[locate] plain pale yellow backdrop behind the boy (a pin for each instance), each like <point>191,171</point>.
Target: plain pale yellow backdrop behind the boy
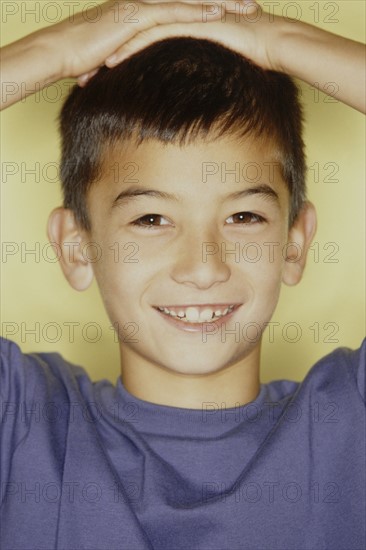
<point>331,295</point>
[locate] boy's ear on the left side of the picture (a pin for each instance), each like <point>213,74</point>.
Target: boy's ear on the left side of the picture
<point>66,237</point>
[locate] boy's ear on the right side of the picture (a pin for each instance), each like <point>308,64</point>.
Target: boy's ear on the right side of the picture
<point>299,240</point>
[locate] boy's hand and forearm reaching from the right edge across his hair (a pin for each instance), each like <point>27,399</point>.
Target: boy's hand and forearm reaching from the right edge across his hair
<point>274,43</point>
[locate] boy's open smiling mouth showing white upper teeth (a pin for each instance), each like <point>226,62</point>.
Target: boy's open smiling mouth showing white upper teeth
<point>198,314</point>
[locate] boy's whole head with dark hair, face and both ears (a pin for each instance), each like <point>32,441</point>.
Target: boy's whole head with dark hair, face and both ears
<point>183,178</point>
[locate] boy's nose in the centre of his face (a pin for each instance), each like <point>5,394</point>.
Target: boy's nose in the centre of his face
<point>198,262</point>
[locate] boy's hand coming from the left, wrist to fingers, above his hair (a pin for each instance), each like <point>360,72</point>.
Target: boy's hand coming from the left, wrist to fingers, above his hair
<point>85,45</point>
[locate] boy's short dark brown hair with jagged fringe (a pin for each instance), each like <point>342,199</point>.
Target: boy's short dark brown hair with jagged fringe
<point>177,90</point>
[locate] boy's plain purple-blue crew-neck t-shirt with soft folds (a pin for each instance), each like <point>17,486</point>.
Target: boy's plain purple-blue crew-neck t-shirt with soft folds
<point>86,465</point>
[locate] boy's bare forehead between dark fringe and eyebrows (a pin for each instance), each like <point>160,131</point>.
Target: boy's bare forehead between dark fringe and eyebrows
<point>220,166</point>
